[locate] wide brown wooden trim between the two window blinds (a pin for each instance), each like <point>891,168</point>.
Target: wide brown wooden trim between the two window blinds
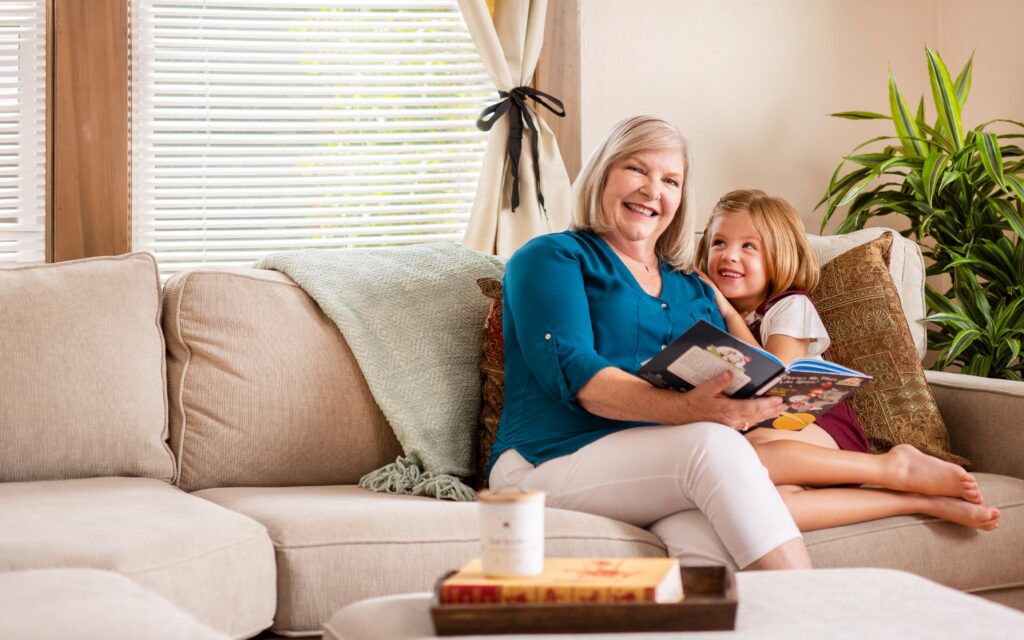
<point>91,130</point>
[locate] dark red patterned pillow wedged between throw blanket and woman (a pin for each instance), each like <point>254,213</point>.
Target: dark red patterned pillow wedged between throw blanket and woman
<point>493,368</point>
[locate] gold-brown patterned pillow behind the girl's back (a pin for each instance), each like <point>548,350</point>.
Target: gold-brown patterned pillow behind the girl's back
<point>861,309</point>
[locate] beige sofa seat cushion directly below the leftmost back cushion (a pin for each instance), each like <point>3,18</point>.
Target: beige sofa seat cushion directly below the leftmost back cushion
<point>214,564</point>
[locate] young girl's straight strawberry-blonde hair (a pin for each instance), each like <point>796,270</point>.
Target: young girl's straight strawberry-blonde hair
<point>790,264</point>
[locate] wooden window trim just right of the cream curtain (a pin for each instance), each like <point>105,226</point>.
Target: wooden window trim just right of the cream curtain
<point>559,74</point>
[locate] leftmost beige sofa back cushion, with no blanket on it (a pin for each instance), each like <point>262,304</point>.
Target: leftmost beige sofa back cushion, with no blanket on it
<point>82,390</point>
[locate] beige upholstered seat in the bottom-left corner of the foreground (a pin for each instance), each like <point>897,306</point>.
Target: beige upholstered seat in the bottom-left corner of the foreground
<point>58,605</point>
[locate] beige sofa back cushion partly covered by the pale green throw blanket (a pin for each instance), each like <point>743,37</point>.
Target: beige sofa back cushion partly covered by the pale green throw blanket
<point>264,390</point>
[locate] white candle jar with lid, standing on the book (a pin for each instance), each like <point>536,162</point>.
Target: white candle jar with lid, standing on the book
<point>511,533</point>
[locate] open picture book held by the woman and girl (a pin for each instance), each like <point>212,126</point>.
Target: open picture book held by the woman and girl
<point>808,387</point>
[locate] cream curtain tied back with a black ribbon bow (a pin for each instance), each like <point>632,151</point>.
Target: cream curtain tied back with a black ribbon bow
<point>510,47</point>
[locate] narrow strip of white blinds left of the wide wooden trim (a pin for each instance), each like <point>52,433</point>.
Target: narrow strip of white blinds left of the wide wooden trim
<point>23,132</point>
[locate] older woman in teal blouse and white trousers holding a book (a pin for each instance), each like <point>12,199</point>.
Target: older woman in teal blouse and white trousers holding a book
<point>583,311</point>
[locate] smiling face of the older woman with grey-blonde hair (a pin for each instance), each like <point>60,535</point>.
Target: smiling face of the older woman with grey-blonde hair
<point>642,196</point>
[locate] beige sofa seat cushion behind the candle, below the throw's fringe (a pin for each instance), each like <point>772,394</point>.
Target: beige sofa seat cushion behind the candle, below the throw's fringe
<point>340,544</point>
